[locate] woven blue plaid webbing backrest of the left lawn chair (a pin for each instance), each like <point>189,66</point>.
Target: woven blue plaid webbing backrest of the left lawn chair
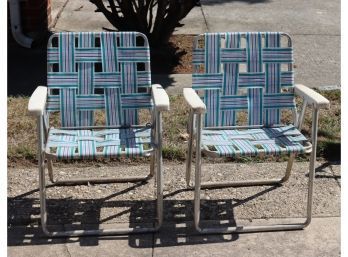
<point>108,71</point>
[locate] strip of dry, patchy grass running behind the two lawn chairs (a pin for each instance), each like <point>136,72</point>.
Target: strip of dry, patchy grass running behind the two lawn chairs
<point>22,142</point>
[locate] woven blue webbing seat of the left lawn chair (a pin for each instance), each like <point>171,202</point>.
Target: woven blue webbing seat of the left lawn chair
<point>91,144</point>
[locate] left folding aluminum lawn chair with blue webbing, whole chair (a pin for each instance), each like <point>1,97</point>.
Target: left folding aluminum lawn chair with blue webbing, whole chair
<point>105,72</point>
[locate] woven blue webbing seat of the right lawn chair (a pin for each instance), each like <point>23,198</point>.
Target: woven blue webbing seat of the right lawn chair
<point>254,142</point>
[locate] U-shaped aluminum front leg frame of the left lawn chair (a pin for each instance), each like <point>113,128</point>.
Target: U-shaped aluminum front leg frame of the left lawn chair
<point>100,232</point>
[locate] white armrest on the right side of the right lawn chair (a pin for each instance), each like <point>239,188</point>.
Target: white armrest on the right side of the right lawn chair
<point>311,96</point>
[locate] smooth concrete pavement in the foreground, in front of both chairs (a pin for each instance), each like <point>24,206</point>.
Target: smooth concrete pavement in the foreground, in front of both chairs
<point>321,238</point>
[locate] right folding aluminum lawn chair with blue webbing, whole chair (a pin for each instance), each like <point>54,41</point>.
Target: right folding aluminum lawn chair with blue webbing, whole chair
<point>250,73</point>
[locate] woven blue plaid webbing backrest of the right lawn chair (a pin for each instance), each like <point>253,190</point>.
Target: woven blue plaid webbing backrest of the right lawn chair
<point>244,72</point>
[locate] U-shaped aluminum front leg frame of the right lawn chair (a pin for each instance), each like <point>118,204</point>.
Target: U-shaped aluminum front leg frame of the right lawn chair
<point>260,228</point>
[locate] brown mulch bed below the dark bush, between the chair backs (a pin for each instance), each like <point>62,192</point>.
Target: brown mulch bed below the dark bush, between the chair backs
<point>175,57</point>
